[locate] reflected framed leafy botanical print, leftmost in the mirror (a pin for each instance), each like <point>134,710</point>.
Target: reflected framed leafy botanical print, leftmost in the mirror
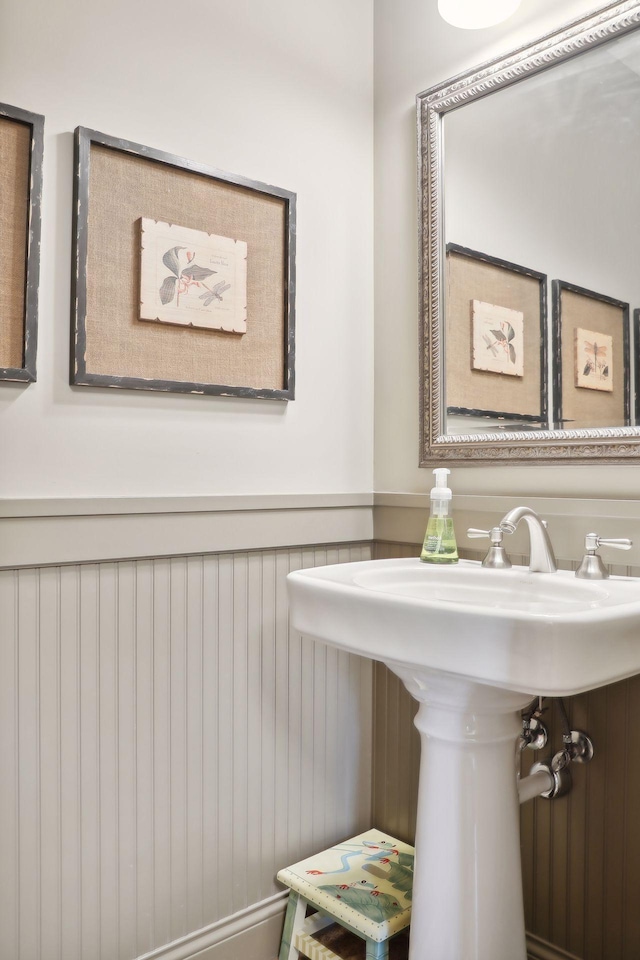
<point>496,332</point>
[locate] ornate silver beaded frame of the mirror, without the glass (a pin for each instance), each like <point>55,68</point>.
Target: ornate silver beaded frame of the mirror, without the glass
<point>616,444</point>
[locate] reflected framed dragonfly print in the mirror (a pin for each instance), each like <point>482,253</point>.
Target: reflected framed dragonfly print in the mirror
<point>591,359</point>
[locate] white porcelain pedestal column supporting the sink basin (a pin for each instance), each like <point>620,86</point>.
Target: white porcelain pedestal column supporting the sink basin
<point>467,901</point>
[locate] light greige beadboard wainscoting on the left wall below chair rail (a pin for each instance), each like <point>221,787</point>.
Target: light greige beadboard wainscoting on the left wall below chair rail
<point>167,744</point>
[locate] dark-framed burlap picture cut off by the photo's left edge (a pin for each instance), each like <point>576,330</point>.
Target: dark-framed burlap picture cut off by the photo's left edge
<point>21,151</point>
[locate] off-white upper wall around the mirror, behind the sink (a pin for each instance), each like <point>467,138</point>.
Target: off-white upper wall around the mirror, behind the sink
<point>416,49</point>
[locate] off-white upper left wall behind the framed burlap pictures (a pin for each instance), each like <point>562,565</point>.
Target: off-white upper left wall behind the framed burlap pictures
<point>278,92</point>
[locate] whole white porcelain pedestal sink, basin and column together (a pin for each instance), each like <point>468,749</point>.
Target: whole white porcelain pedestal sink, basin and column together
<point>473,646</point>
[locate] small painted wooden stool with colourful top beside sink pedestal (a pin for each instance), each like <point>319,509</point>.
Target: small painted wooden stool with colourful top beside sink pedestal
<point>364,884</point>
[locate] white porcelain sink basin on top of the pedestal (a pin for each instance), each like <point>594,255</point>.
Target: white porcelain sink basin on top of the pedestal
<point>539,633</point>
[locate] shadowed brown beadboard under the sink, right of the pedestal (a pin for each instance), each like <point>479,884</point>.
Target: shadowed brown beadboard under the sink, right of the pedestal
<point>582,894</point>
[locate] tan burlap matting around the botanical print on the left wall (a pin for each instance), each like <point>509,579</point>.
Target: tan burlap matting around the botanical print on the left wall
<point>122,189</point>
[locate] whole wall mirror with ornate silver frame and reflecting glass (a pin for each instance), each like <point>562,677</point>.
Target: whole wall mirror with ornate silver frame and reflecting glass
<point>530,286</point>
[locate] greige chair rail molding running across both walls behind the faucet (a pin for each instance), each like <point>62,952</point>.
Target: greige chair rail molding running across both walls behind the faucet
<point>87,530</point>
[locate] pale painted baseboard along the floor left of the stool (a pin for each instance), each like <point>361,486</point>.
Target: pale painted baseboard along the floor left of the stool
<point>250,934</point>
